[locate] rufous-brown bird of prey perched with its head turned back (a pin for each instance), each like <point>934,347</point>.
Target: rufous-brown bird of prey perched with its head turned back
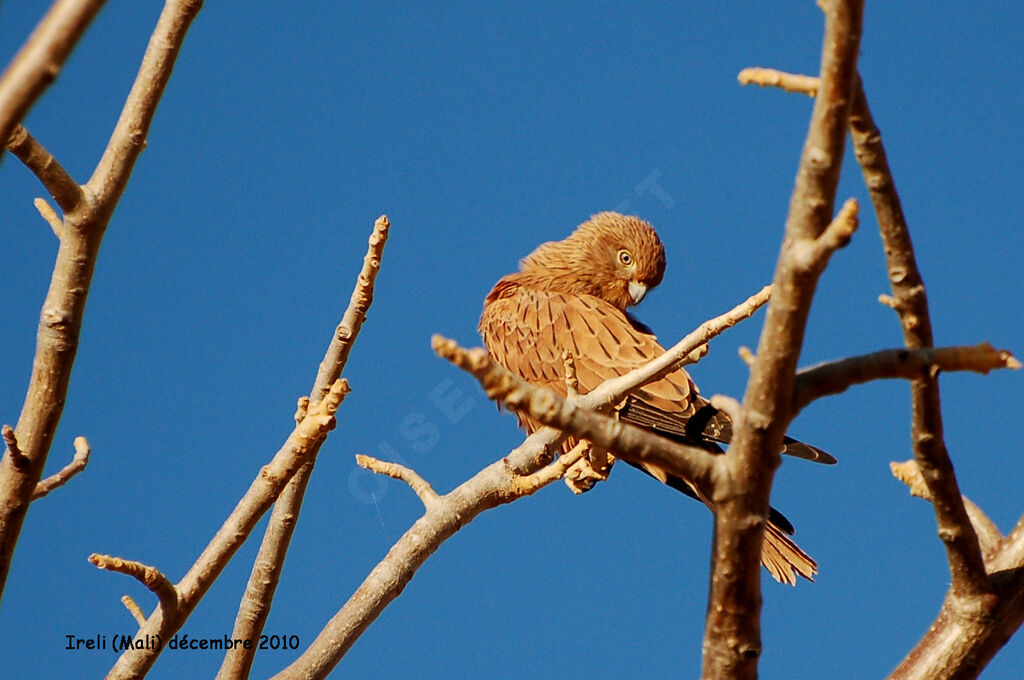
<point>572,296</point>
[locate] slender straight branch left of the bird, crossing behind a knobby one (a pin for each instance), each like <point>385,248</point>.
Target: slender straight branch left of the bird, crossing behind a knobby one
<point>266,575</point>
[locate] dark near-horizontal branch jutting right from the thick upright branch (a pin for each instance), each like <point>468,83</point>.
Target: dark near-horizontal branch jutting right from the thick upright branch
<point>836,377</point>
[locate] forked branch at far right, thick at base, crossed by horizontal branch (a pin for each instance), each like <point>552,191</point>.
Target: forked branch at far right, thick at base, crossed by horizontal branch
<point>984,607</point>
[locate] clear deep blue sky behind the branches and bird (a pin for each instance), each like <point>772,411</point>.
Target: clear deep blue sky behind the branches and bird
<point>483,133</point>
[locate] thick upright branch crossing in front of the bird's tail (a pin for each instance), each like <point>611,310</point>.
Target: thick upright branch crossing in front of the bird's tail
<point>733,632</point>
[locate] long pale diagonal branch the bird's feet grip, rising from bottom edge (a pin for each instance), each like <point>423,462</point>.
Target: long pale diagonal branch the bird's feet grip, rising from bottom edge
<point>500,483</point>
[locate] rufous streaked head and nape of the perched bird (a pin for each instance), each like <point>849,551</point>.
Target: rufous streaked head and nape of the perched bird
<point>615,258</point>
